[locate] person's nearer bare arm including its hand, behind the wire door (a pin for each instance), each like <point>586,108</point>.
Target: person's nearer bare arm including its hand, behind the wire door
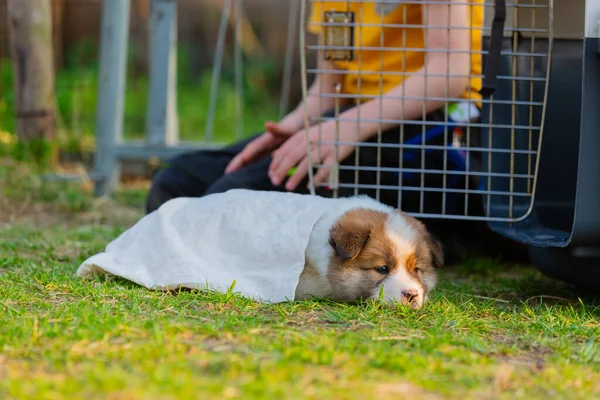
<point>447,53</point>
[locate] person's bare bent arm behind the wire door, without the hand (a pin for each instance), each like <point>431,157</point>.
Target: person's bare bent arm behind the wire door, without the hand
<point>446,53</point>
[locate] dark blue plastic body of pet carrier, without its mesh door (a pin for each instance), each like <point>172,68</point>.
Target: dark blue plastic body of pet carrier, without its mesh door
<point>563,228</point>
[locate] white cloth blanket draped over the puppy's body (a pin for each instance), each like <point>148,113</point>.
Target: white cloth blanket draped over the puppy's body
<point>257,239</point>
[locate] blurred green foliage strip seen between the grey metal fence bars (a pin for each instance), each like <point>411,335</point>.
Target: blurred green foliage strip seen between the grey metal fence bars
<point>77,95</point>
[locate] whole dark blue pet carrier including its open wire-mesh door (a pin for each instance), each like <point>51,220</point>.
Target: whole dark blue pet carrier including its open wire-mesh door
<point>519,154</point>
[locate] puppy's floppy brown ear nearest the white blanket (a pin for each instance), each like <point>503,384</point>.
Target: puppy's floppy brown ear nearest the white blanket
<point>351,233</point>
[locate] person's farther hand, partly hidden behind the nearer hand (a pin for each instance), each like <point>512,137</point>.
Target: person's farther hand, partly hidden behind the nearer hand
<point>275,135</point>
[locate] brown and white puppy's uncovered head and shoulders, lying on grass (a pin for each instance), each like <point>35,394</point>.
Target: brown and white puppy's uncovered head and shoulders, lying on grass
<point>365,245</point>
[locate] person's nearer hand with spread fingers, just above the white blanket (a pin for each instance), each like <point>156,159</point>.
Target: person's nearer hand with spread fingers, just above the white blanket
<point>293,154</point>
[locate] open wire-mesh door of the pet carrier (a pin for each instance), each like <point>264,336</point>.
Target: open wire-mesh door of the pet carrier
<point>466,157</point>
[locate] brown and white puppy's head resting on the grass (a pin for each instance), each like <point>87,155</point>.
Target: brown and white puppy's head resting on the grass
<point>372,249</point>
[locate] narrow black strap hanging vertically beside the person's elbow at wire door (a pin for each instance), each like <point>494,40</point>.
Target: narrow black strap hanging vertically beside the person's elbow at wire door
<point>493,61</point>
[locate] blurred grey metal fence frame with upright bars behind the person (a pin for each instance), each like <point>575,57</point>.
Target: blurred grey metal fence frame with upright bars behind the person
<point>162,132</point>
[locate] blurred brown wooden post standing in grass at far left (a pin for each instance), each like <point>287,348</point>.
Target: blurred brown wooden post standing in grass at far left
<point>30,28</point>
